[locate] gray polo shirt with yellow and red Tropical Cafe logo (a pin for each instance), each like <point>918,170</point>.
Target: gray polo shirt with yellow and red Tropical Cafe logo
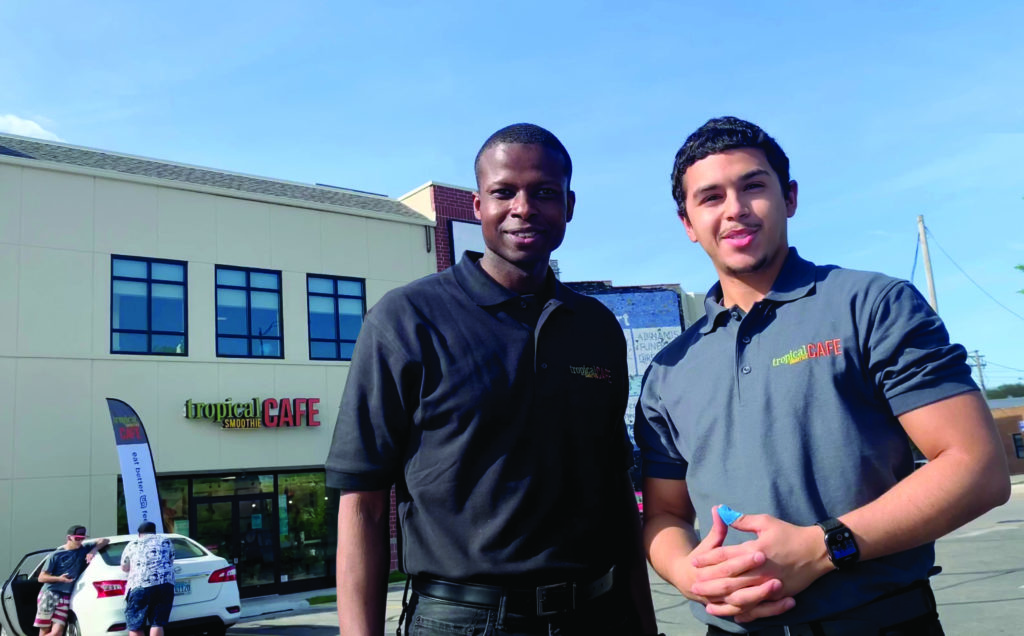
<point>792,411</point>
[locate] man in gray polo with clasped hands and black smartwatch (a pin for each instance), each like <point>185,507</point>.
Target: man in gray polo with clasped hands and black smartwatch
<point>795,401</point>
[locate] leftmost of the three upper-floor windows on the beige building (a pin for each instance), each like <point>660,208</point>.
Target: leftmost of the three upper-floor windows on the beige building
<point>148,307</point>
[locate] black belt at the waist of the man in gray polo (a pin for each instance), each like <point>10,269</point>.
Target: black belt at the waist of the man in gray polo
<point>878,617</point>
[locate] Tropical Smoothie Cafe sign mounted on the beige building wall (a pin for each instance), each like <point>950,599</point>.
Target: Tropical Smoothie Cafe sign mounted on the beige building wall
<point>270,413</point>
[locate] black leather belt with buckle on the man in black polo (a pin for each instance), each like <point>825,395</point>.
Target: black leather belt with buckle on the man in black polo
<point>540,602</point>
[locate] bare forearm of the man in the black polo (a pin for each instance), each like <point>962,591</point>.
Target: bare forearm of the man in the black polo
<point>363,563</point>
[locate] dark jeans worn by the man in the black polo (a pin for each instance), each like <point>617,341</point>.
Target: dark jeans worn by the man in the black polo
<point>429,617</point>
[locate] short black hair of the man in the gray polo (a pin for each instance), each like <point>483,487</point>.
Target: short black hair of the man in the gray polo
<point>718,136</point>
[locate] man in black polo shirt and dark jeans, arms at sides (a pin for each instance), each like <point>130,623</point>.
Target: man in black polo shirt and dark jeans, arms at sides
<point>493,398</point>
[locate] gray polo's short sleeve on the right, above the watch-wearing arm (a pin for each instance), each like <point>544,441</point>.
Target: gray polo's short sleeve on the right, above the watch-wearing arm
<point>910,356</point>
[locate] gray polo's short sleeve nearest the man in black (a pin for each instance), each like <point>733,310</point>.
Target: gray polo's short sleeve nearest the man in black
<point>653,430</point>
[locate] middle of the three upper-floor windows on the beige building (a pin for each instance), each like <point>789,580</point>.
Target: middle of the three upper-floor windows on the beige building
<point>249,314</point>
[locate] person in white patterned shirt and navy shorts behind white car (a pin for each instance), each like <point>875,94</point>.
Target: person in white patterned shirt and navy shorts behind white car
<point>149,560</point>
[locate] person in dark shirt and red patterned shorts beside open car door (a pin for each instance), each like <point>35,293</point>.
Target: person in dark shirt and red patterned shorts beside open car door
<point>63,567</point>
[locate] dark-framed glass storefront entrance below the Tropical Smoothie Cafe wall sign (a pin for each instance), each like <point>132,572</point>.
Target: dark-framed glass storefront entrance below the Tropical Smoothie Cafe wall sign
<point>277,528</point>
